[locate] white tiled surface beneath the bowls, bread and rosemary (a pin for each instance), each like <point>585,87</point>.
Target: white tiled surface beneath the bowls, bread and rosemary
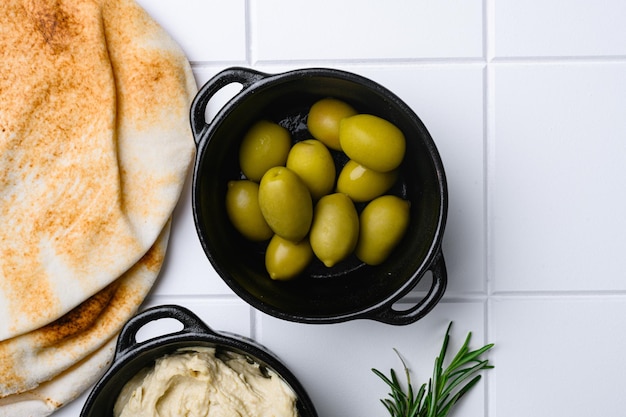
<point>533,242</point>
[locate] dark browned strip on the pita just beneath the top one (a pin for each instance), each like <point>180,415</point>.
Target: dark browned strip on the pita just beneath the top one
<point>78,320</point>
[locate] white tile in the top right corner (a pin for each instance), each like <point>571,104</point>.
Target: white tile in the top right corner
<point>554,28</point>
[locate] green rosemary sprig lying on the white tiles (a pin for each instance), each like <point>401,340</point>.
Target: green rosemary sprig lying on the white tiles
<point>443,390</point>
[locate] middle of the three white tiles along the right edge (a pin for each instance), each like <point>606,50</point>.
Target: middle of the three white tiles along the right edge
<point>558,178</point>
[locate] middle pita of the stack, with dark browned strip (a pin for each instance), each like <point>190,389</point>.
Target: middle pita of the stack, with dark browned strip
<point>43,354</point>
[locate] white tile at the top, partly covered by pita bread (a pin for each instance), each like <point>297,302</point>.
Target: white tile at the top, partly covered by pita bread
<point>207,30</point>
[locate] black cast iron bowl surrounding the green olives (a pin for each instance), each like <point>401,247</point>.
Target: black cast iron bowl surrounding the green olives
<point>351,289</point>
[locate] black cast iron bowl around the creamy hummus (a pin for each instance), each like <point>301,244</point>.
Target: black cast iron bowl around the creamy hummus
<point>132,356</point>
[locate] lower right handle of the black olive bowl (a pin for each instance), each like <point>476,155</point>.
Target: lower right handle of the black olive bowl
<point>387,314</point>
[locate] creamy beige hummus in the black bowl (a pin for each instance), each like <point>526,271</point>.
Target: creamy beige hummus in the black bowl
<point>196,382</point>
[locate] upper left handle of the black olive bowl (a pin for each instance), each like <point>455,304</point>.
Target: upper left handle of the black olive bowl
<point>244,76</point>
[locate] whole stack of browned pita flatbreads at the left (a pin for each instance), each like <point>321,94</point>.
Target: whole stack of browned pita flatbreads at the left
<point>95,146</point>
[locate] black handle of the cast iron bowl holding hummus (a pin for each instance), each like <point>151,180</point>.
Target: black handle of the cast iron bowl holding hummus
<point>127,340</point>
